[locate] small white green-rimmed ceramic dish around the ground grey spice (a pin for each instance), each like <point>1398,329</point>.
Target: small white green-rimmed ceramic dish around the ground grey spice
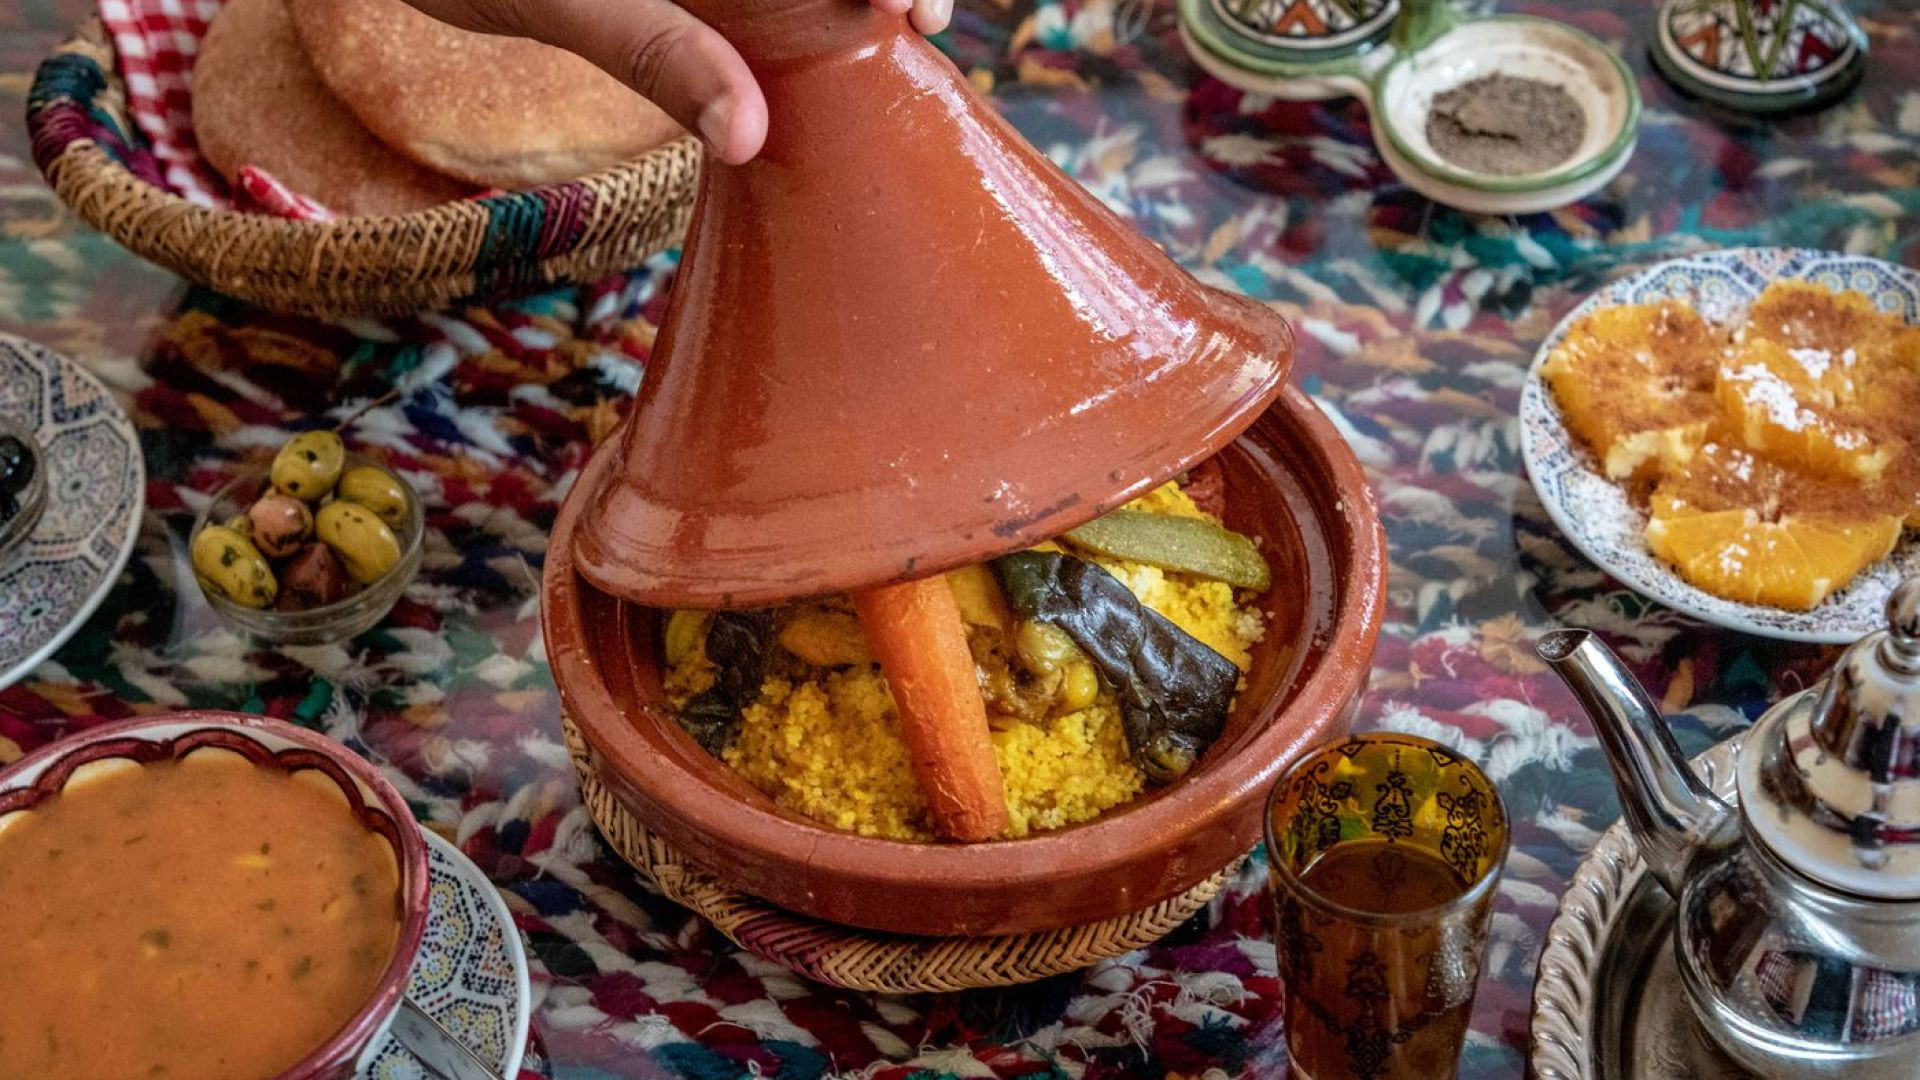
<point>1522,47</point>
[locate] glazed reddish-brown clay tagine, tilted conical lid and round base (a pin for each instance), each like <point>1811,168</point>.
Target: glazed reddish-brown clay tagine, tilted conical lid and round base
<point>901,343</point>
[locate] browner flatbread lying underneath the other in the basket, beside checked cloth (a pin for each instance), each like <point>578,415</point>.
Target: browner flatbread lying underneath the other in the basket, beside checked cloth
<point>258,103</point>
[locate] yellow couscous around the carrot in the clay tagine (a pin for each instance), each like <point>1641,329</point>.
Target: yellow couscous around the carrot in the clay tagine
<point>821,735</point>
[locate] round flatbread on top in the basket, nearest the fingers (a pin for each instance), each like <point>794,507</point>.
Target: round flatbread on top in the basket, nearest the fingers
<point>494,110</point>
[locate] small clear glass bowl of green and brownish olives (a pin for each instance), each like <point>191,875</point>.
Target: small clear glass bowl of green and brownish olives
<point>310,551</point>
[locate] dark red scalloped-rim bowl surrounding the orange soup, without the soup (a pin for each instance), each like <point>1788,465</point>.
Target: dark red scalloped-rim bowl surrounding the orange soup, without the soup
<point>283,747</point>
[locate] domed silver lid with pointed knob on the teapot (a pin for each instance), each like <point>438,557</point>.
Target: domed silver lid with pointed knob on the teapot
<point>1838,777</point>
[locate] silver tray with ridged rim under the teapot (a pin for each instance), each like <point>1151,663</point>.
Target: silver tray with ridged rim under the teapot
<point>1608,998</point>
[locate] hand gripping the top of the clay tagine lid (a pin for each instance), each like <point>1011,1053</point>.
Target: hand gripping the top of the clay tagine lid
<point>661,51</point>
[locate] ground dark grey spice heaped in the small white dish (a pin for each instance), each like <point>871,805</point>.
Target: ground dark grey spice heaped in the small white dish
<point>1506,126</point>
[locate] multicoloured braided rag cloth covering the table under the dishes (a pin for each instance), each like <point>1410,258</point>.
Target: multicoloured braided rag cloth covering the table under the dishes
<point>1416,324</point>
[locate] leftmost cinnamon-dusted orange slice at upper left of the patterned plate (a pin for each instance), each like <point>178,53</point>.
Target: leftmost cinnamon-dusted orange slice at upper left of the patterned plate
<point>1635,385</point>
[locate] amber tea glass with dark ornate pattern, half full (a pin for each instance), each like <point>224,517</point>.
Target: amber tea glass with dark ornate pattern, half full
<point>1385,852</point>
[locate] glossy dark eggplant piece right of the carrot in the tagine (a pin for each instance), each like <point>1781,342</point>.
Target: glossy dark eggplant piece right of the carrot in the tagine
<point>1174,691</point>
